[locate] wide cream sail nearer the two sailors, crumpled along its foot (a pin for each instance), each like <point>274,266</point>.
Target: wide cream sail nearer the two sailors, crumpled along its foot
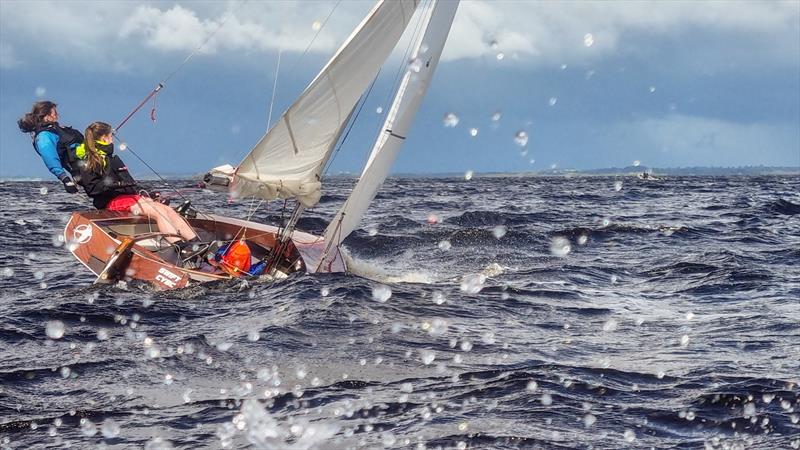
<point>287,162</point>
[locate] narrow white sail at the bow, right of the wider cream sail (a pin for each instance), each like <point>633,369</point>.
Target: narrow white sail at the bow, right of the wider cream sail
<point>409,95</point>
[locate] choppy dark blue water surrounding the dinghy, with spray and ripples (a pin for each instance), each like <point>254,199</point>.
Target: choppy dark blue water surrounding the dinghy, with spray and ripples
<point>536,313</point>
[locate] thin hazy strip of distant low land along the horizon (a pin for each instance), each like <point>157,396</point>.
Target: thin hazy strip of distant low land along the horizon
<point>607,172</point>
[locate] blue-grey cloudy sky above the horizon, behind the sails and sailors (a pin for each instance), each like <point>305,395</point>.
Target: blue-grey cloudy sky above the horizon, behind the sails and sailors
<point>592,84</point>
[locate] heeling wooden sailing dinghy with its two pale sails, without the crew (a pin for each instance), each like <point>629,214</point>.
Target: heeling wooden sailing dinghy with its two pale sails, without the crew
<point>287,163</point>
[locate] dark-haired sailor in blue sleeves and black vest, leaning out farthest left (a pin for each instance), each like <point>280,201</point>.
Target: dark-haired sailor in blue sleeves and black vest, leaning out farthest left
<point>54,144</point>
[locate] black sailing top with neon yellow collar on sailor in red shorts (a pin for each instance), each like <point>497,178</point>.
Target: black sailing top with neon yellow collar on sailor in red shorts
<point>111,180</point>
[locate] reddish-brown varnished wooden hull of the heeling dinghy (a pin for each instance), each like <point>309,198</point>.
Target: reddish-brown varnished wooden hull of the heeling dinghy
<point>119,246</point>
